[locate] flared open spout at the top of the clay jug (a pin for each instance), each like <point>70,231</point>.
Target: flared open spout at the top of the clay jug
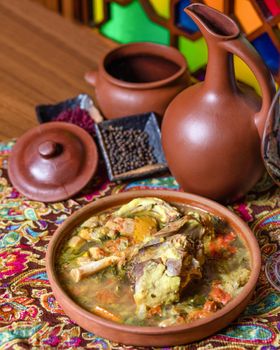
<point>212,23</point>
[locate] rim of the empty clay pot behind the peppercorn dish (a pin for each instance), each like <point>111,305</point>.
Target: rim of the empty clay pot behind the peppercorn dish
<point>167,52</point>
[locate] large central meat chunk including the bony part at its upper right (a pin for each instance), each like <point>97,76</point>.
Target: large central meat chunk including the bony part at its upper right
<point>164,266</point>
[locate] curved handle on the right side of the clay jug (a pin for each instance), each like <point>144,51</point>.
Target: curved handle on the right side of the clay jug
<point>243,49</point>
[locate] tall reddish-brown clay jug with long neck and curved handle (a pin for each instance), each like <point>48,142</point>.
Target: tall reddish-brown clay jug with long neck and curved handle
<point>212,131</point>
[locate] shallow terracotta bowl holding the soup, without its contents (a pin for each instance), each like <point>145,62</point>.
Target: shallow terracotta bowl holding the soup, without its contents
<point>154,336</point>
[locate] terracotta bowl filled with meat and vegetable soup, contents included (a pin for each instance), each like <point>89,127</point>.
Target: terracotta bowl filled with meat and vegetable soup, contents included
<point>153,267</point>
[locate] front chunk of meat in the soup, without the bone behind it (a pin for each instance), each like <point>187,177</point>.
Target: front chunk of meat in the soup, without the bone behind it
<point>159,272</point>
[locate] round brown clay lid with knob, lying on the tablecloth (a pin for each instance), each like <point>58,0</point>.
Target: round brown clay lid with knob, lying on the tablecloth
<point>53,161</point>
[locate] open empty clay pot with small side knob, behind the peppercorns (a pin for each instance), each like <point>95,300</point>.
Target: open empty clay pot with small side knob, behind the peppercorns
<point>138,78</point>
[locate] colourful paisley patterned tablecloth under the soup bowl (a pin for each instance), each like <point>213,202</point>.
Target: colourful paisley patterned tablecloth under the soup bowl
<point>30,317</point>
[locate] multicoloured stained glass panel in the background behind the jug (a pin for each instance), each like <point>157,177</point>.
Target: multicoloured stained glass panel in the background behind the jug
<point>165,22</point>
